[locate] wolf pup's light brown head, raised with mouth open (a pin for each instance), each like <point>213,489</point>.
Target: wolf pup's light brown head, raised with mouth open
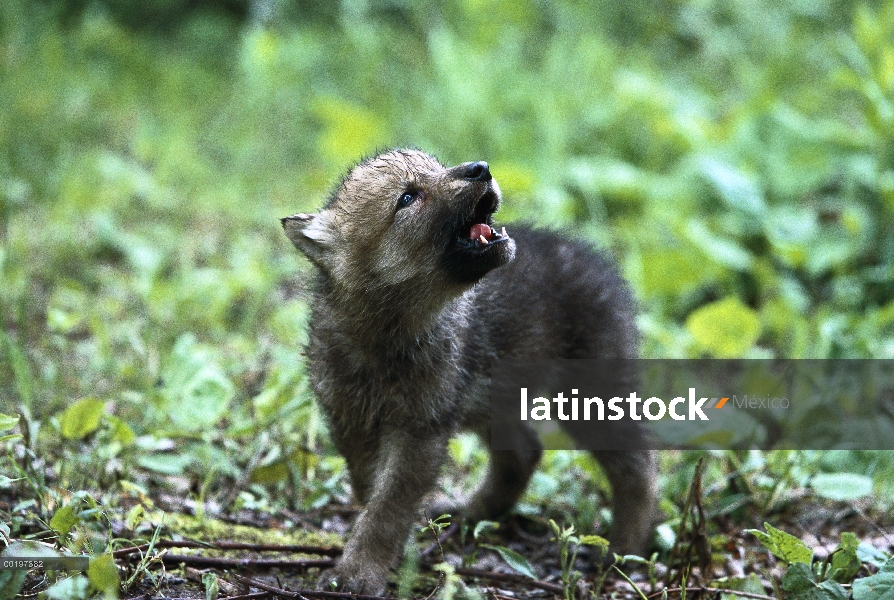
<point>403,219</point>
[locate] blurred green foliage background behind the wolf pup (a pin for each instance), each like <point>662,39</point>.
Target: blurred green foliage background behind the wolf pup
<point>736,157</point>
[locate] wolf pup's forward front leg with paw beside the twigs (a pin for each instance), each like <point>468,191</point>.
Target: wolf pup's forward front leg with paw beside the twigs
<point>408,468</point>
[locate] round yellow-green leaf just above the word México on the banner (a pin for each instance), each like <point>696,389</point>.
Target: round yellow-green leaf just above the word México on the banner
<point>726,328</point>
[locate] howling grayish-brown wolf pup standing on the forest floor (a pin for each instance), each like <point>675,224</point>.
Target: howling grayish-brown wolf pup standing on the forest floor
<point>417,293</point>
